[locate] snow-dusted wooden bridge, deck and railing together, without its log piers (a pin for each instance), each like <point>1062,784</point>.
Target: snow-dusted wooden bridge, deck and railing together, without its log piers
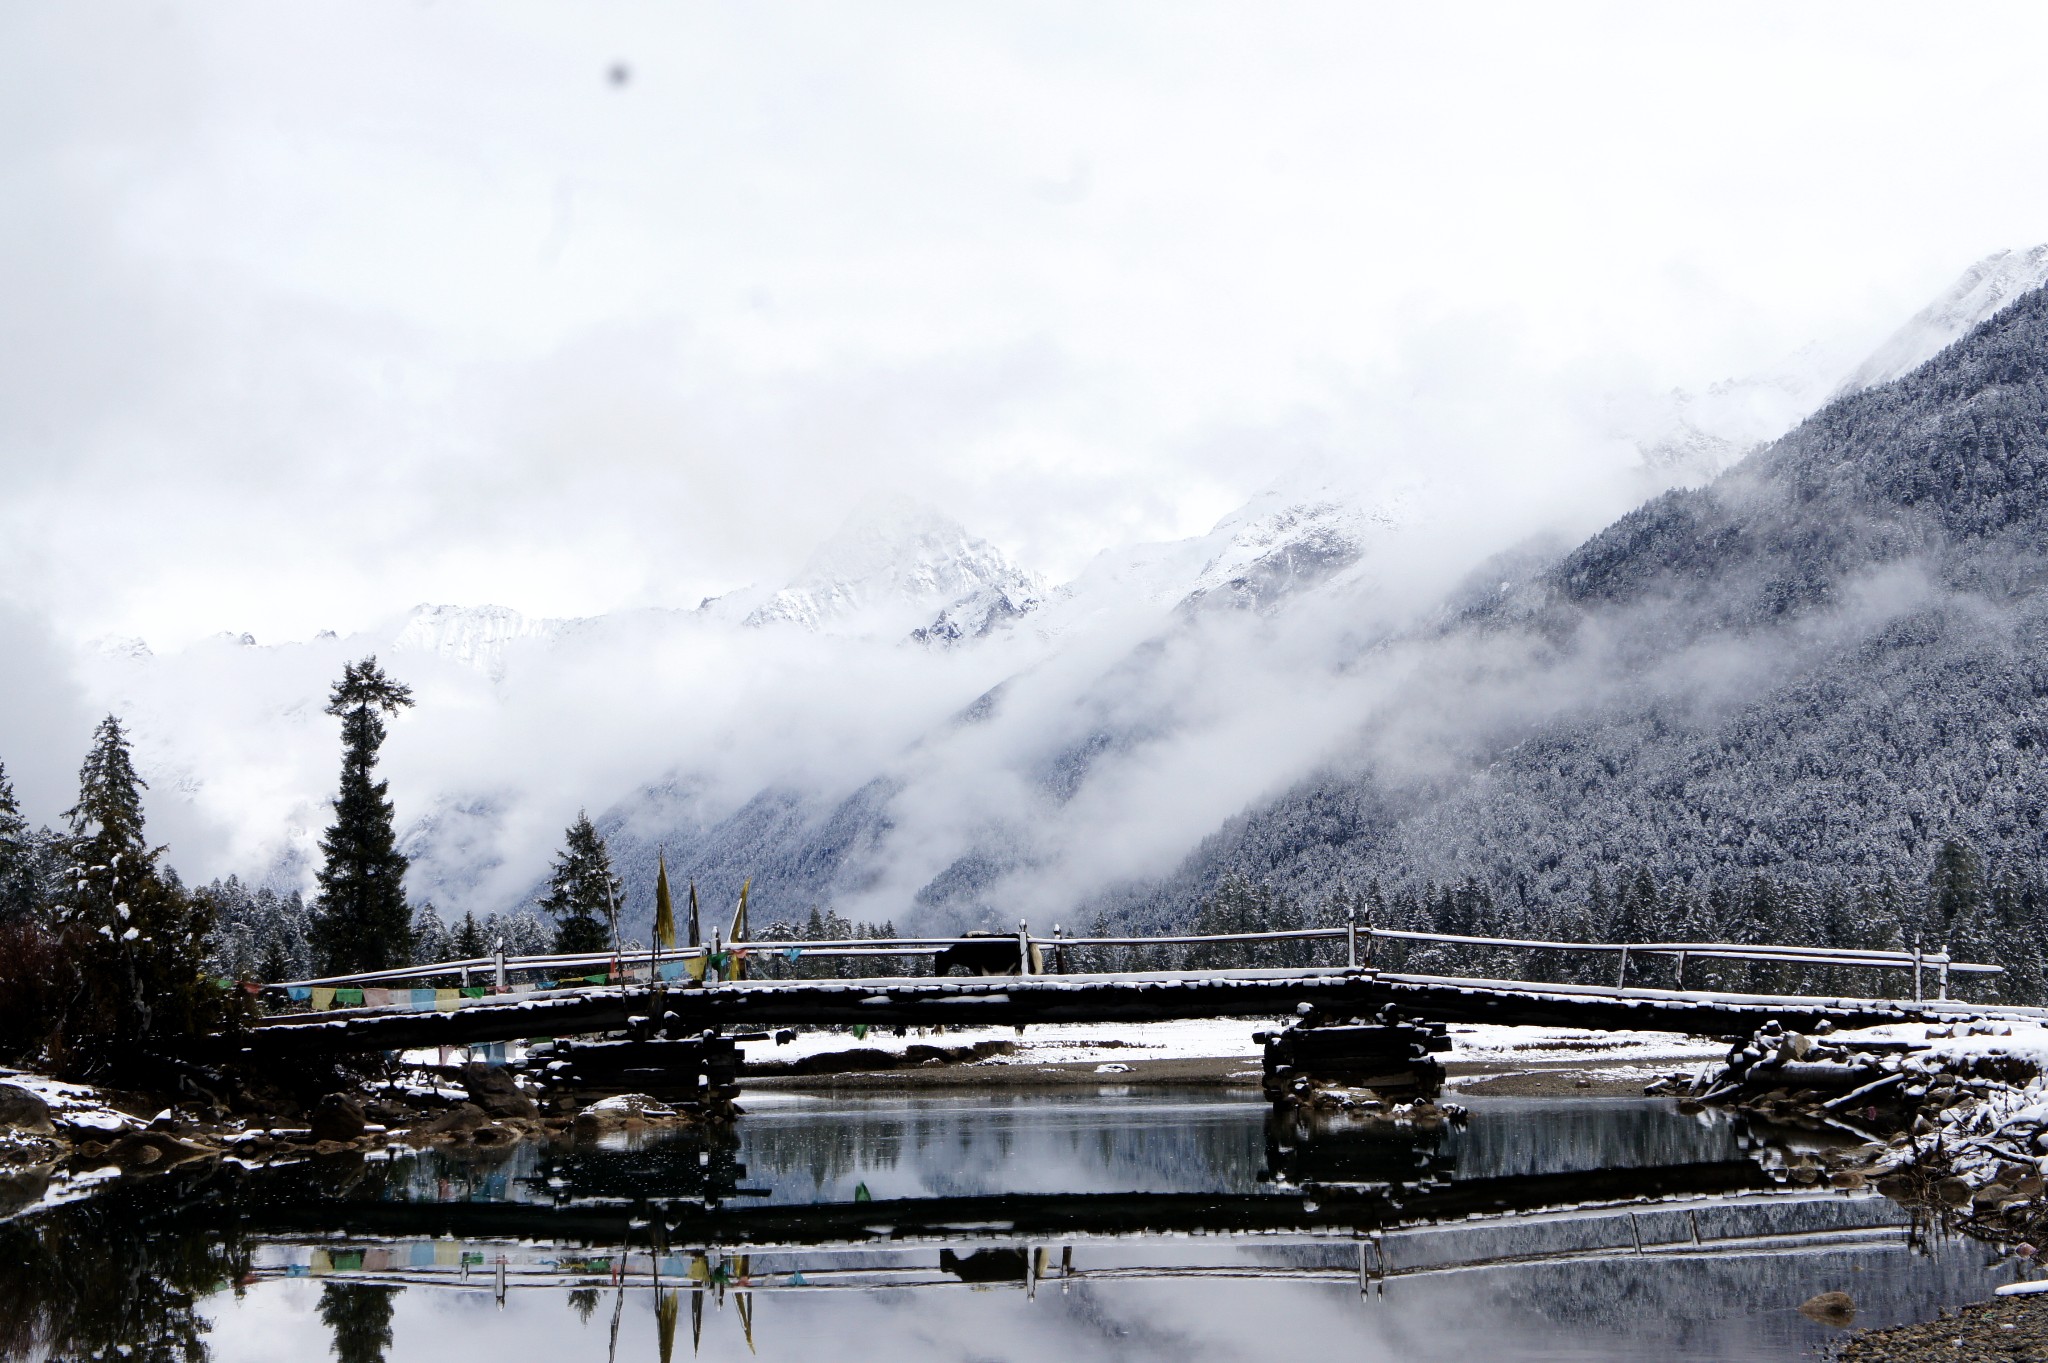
<point>546,998</point>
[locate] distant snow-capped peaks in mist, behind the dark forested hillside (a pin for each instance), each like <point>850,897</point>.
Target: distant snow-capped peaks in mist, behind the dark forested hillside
<point>914,723</point>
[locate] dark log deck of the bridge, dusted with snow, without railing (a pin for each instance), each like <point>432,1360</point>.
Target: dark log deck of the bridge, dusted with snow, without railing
<point>1021,1002</point>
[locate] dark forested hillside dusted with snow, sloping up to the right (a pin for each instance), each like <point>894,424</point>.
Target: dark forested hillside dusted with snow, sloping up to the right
<point>1822,668</point>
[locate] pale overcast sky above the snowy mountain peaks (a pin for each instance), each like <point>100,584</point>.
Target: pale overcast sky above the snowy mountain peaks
<point>310,312</point>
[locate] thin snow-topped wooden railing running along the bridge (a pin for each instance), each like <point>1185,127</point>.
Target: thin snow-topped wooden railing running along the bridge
<point>718,961</point>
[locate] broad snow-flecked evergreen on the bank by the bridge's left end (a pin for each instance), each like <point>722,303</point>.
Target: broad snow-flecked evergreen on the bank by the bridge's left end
<point>138,938</point>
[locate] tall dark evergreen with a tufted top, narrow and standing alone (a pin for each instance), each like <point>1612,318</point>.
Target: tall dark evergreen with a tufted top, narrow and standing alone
<point>361,920</point>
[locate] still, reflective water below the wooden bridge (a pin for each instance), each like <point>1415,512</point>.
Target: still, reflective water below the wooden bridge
<point>996,1227</point>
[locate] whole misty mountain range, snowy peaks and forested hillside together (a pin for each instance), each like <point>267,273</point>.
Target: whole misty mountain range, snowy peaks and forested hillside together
<point>1349,678</point>
